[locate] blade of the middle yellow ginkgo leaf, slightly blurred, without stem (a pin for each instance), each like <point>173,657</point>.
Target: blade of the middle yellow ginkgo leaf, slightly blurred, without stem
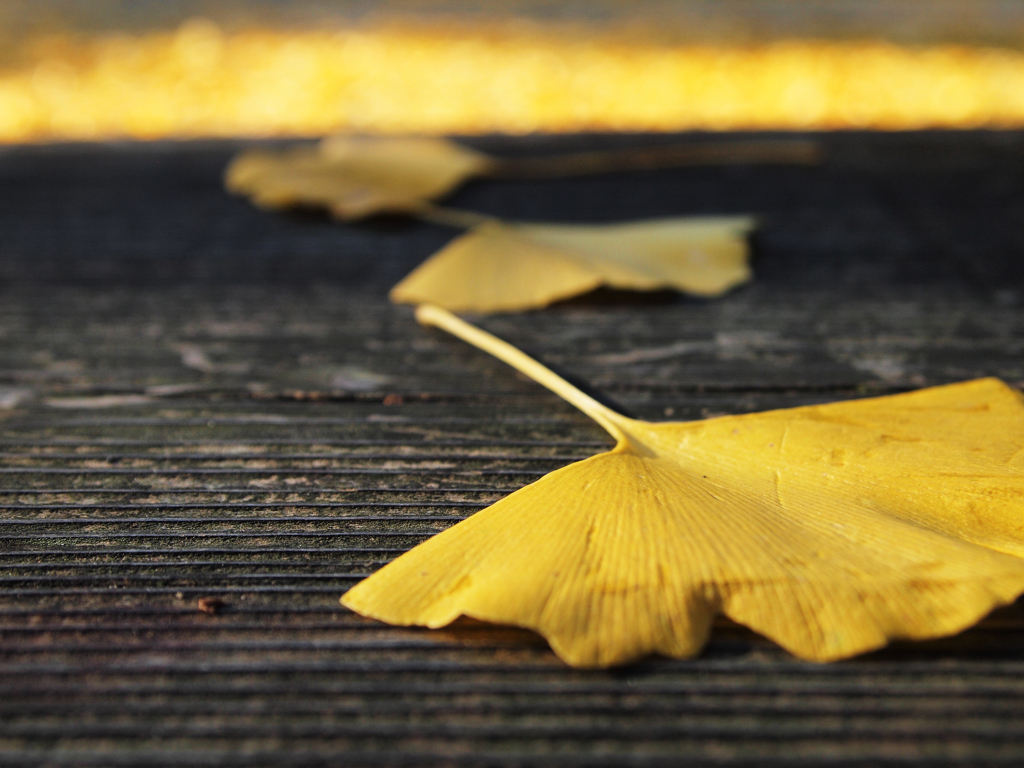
<point>498,268</point>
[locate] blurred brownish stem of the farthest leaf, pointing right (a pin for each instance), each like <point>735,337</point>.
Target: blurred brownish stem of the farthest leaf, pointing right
<point>789,152</point>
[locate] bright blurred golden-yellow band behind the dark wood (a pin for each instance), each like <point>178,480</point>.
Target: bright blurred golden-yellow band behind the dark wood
<point>482,75</point>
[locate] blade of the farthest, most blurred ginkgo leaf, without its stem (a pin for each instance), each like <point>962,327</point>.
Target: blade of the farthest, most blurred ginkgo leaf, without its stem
<point>355,178</point>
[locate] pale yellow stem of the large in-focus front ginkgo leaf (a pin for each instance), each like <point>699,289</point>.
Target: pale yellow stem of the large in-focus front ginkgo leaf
<point>430,315</point>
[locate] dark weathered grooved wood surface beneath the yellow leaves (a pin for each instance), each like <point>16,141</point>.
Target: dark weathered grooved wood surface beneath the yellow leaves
<point>202,401</point>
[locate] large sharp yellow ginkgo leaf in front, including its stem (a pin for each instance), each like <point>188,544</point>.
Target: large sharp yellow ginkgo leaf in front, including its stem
<point>831,530</point>
